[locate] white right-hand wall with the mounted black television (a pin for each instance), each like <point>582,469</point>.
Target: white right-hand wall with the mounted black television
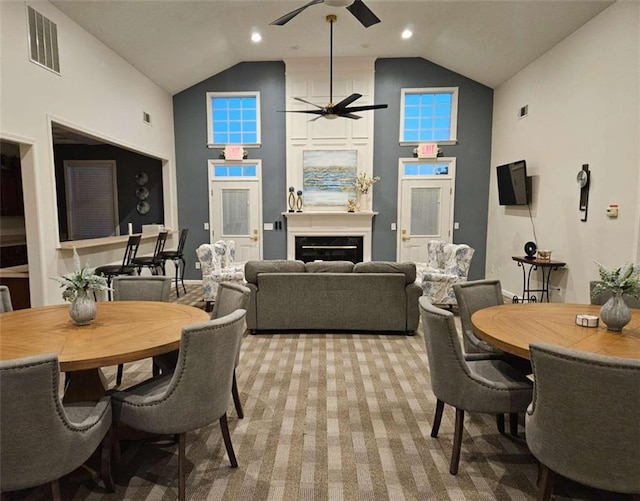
<point>584,102</point>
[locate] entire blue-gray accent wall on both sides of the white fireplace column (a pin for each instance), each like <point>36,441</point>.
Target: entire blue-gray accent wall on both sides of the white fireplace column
<point>472,152</point>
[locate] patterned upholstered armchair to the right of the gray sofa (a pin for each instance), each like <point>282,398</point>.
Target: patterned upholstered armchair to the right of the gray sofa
<point>447,264</point>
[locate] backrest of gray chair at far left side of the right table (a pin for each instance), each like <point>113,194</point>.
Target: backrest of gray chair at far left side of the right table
<point>471,297</point>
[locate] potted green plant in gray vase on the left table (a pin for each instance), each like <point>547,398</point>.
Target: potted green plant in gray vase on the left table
<point>77,286</point>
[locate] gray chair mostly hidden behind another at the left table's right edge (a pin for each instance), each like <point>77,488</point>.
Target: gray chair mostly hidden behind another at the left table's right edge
<point>231,297</point>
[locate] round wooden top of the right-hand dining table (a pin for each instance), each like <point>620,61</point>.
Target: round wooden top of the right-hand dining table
<point>512,327</point>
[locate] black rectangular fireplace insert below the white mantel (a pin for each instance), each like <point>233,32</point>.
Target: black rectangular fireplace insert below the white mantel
<point>329,248</point>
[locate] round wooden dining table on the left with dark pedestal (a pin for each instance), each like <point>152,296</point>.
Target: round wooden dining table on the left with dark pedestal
<point>123,331</point>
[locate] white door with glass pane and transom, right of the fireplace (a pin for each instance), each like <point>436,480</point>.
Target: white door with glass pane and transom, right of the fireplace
<point>425,210</point>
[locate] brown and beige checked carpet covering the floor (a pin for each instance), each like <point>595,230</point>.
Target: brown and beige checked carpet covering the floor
<point>327,417</point>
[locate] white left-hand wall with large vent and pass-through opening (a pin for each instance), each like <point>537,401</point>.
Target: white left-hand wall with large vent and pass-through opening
<point>97,92</point>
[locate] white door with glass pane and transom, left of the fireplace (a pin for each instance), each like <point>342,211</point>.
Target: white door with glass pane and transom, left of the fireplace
<point>235,205</point>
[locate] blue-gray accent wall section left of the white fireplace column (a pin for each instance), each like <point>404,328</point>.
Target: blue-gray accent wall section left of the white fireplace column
<point>192,153</point>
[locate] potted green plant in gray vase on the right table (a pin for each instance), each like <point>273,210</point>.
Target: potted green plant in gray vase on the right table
<point>618,281</point>
